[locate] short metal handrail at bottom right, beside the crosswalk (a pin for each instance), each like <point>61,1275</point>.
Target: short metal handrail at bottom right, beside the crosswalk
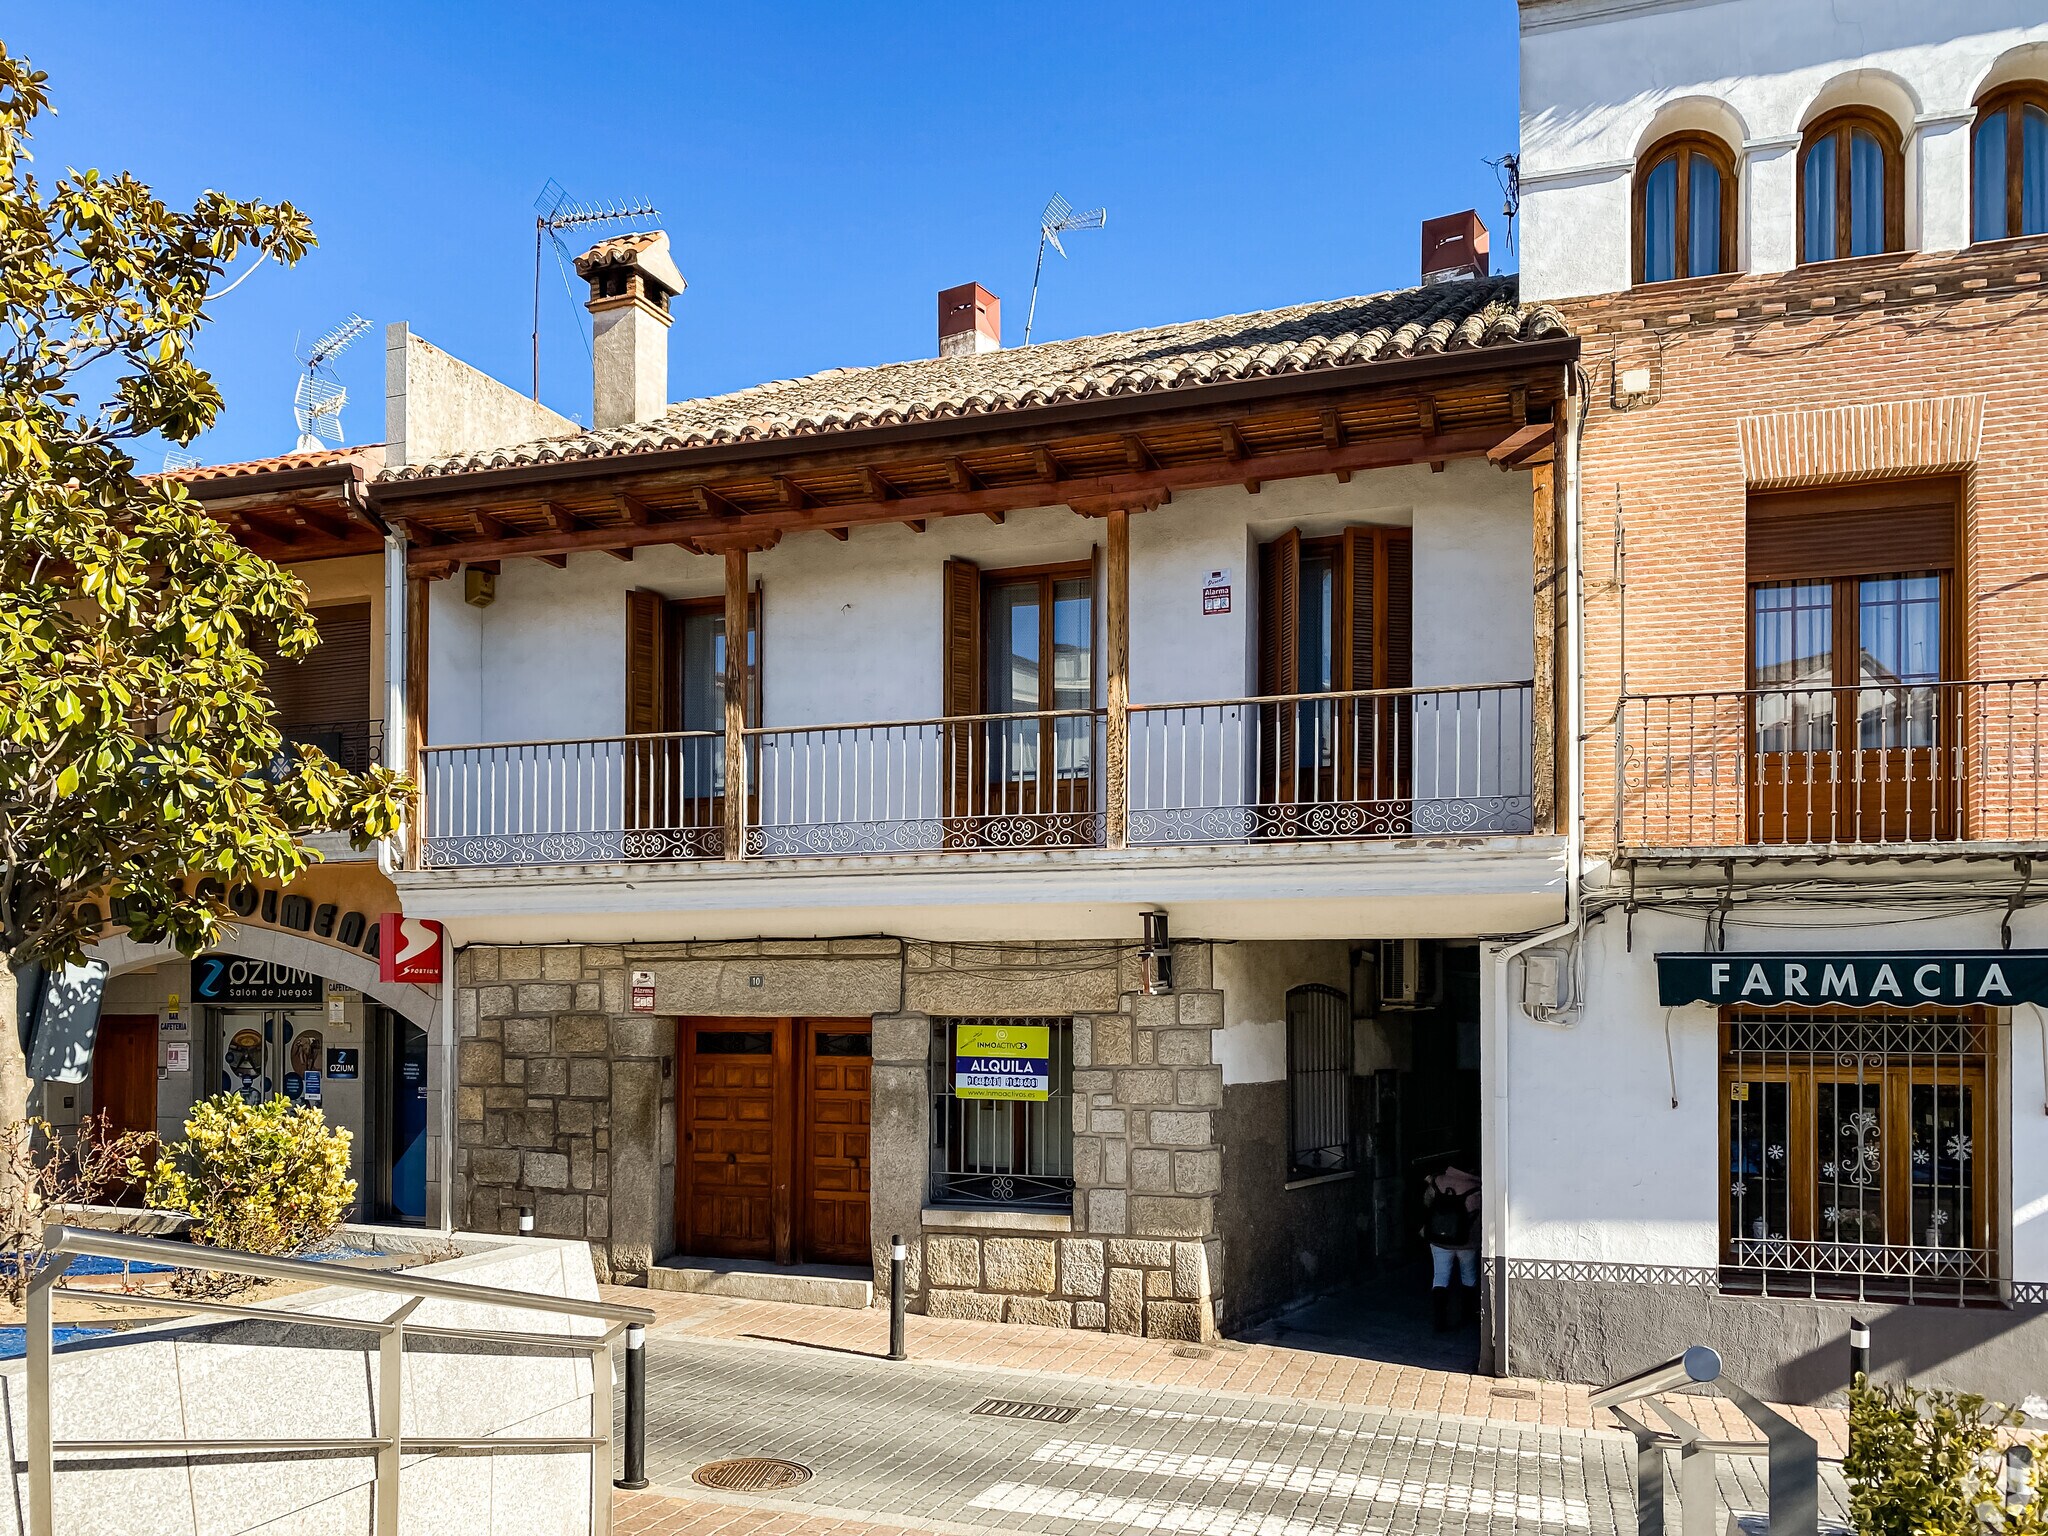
<point>1795,1459</point>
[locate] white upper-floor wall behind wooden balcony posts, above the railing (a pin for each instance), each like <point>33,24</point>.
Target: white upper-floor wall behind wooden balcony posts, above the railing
<point>851,632</point>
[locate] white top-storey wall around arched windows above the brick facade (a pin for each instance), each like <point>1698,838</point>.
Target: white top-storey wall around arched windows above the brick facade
<point>1605,79</point>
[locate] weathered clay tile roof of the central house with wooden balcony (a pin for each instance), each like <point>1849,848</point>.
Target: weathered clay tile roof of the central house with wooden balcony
<point>1302,339</point>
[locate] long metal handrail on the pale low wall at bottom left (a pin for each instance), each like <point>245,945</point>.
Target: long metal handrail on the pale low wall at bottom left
<point>65,1244</point>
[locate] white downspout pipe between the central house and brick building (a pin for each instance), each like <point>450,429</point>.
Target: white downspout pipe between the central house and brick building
<point>1498,1191</point>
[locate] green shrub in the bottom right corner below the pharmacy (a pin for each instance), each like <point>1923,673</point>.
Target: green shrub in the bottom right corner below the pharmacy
<point>1934,1463</point>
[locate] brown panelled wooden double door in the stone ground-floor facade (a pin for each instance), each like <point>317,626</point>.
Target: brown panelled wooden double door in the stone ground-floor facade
<point>773,1140</point>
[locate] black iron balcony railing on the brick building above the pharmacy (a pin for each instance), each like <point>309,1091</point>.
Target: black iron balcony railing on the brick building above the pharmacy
<point>1877,765</point>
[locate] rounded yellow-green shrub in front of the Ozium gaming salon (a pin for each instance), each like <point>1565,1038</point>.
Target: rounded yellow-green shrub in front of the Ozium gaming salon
<point>265,1179</point>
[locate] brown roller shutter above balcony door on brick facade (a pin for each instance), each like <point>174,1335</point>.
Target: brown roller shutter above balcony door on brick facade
<point>1859,531</point>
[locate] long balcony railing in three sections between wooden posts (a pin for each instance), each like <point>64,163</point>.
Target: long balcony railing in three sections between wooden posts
<point>1316,767</point>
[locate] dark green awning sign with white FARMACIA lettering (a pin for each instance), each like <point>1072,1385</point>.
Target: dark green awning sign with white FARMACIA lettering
<point>1857,980</point>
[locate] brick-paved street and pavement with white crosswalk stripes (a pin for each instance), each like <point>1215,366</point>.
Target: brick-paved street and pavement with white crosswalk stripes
<point>1203,1441</point>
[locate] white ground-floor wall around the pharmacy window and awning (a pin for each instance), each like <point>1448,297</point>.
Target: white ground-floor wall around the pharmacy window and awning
<point>1598,1162</point>
